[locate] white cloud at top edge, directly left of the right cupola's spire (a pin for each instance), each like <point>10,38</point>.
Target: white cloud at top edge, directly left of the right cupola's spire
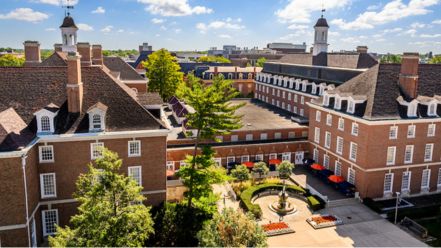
<point>299,11</point>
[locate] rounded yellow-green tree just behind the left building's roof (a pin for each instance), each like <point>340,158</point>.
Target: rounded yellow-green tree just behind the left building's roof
<point>163,73</point>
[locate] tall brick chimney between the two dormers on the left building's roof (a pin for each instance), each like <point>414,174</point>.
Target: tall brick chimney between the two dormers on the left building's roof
<point>74,85</point>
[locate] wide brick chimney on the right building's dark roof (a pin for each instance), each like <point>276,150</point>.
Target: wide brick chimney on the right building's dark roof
<point>409,74</point>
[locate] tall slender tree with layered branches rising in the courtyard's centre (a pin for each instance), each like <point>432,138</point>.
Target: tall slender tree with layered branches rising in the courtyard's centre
<point>213,115</point>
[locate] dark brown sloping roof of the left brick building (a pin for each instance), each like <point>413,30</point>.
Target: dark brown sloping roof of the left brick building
<point>29,89</point>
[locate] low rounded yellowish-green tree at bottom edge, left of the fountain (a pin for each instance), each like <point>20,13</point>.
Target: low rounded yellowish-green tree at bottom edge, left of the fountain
<point>232,229</point>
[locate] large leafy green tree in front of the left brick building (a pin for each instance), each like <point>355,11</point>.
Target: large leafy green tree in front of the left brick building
<point>111,212</point>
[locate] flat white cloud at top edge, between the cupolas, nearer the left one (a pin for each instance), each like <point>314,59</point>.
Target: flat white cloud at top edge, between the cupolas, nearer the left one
<point>174,8</point>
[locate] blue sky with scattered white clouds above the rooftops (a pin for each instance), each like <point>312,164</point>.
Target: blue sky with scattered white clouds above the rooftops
<point>384,26</point>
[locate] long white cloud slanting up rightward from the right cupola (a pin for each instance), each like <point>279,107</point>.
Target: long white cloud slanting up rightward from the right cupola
<point>392,11</point>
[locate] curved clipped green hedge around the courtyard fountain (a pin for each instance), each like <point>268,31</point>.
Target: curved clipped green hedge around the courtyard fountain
<point>314,202</point>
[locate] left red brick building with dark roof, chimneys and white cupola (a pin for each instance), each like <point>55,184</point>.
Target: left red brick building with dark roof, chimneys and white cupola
<point>54,117</point>
